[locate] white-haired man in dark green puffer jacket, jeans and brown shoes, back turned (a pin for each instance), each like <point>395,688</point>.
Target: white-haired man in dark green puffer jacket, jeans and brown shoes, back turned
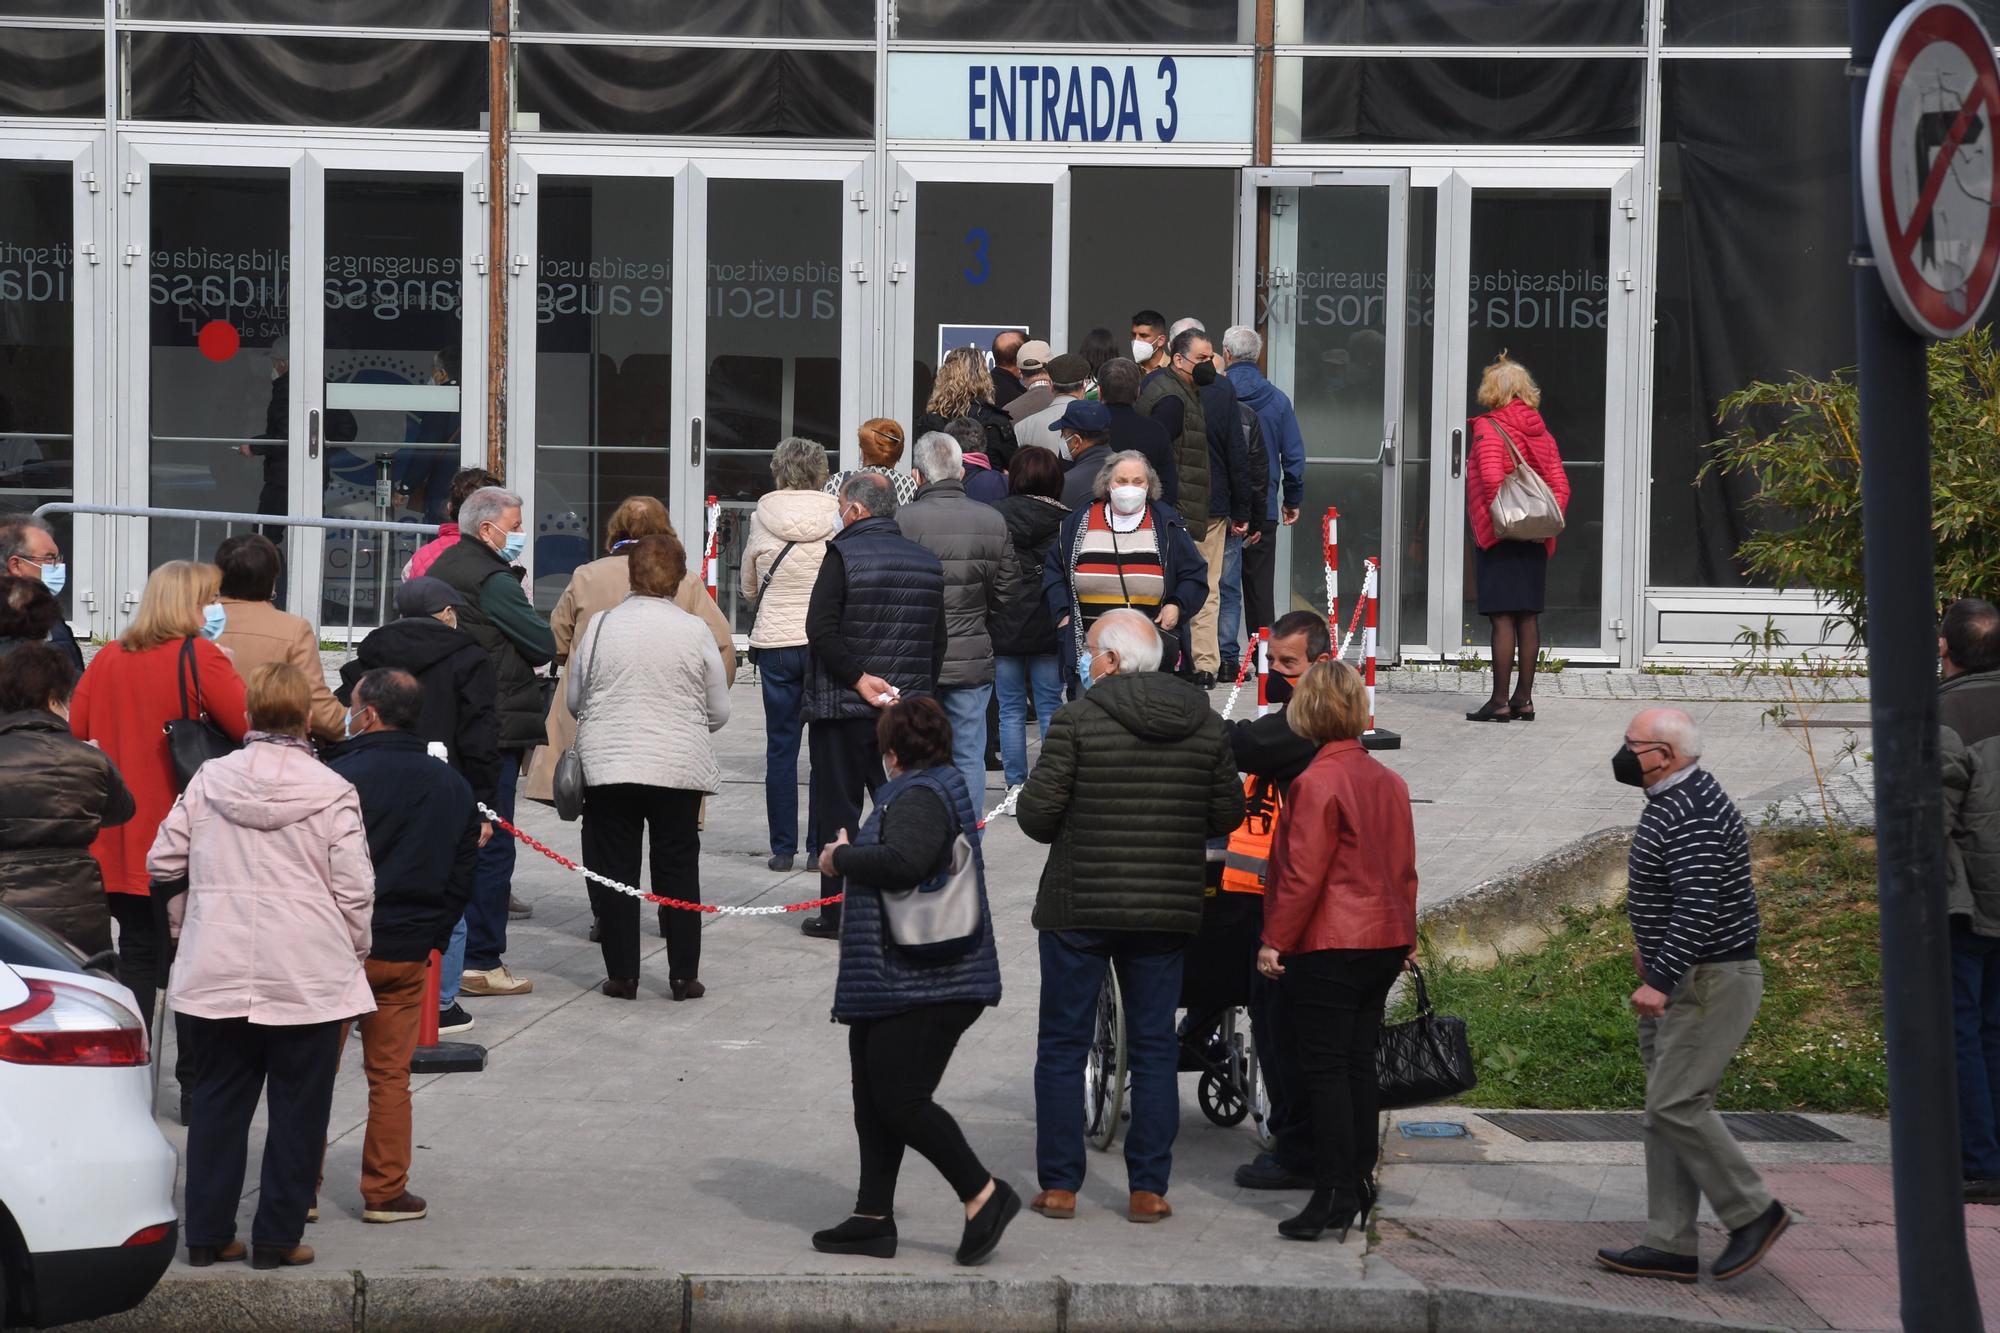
<point>1135,780</point>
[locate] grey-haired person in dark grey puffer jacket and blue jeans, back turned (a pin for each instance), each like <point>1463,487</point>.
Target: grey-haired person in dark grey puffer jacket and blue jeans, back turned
<point>971,541</point>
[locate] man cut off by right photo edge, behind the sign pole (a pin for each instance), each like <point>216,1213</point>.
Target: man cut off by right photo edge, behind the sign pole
<point>1969,748</point>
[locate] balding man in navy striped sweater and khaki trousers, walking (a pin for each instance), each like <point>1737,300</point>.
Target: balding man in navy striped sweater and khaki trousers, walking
<point>1695,926</point>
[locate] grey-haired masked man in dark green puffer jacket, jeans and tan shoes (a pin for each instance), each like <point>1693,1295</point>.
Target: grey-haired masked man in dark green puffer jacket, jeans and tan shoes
<point>501,619</point>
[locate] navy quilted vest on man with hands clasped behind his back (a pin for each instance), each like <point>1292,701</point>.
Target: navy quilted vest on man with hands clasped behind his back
<point>895,599</point>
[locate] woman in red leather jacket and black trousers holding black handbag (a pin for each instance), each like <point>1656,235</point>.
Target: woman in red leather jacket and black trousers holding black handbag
<point>1339,924</point>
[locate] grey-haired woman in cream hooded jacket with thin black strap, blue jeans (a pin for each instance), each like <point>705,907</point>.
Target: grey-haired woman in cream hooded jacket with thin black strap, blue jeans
<point>789,537</point>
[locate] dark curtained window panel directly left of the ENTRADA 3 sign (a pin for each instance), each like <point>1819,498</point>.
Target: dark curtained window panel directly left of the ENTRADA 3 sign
<point>699,91</point>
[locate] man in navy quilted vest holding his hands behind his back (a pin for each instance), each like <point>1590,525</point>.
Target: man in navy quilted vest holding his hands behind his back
<point>877,631</point>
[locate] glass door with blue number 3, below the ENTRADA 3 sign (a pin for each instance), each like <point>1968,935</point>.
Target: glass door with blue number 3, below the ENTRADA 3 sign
<point>973,257</point>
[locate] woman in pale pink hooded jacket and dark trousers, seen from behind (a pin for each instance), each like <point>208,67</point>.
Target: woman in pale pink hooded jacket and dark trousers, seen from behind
<point>275,928</point>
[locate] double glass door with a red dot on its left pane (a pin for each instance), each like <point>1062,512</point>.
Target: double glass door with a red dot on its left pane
<point>345,405</point>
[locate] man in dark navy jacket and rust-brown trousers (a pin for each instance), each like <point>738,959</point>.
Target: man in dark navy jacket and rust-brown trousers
<point>425,840</point>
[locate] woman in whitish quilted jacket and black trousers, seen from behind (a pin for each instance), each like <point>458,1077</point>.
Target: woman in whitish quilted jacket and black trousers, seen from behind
<point>647,688</point>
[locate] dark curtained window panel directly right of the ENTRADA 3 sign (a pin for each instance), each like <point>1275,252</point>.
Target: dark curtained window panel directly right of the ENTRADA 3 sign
<point>1471,101</point>
